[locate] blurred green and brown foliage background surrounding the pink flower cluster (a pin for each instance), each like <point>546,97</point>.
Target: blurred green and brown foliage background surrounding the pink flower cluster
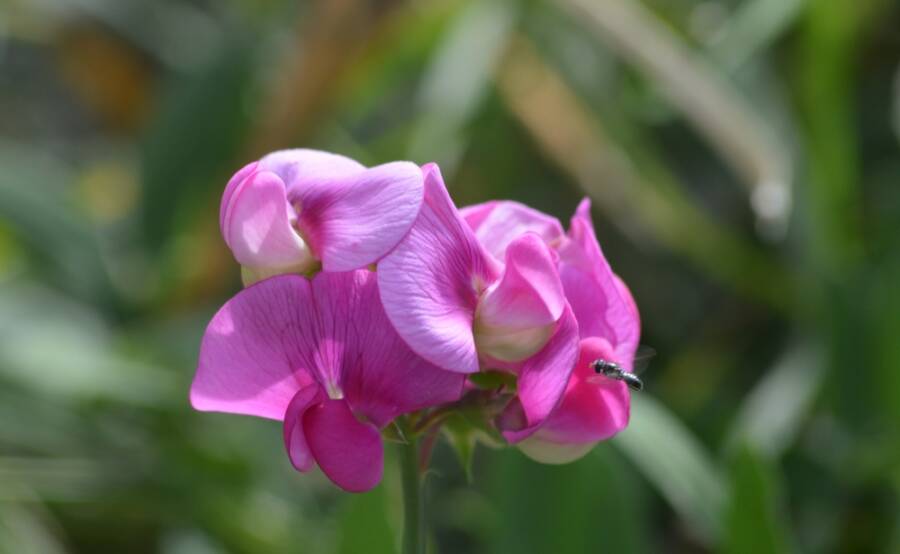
<point>743,161</point>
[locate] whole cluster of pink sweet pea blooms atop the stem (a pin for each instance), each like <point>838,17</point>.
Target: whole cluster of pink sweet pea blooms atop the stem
<point>370,296</point>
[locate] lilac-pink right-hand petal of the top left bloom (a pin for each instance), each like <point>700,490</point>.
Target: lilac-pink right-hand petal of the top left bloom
<point>353,221</point>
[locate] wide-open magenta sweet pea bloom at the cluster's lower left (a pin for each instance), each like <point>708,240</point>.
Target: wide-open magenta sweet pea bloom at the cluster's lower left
<point>322,357</point>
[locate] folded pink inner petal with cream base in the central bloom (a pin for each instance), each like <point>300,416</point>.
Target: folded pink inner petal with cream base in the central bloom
<point>517,314</point>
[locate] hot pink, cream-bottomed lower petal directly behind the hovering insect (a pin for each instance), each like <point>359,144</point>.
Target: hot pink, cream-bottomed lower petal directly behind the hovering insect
<point>592,409</point>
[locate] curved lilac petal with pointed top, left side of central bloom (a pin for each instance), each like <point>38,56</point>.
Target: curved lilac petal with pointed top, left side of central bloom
<point>430,282</point>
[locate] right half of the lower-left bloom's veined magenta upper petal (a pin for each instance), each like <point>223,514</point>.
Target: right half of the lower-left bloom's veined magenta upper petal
<point>379,375</point>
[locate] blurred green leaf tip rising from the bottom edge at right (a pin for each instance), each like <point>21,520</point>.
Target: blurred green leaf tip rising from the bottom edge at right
<point>754,522</point>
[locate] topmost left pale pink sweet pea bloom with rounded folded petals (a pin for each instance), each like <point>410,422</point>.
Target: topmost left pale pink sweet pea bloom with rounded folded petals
<point>294,209</point>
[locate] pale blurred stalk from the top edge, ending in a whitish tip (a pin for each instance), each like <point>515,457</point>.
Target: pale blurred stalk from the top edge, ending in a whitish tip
<point>731,127</point>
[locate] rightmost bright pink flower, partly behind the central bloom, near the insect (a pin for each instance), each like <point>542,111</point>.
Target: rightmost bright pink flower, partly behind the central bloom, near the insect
<point>593,408</point>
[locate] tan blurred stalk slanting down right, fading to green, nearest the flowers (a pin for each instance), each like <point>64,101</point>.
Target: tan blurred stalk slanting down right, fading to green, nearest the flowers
<point>648,202</point>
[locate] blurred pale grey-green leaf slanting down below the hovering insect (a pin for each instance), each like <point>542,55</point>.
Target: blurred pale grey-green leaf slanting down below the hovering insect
<point>677,465</point>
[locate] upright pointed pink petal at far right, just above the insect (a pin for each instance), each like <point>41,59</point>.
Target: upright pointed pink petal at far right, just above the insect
<point>596,295</point>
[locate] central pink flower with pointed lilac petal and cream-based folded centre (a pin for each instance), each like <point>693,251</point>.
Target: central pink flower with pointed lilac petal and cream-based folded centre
<point>461,307</point>
